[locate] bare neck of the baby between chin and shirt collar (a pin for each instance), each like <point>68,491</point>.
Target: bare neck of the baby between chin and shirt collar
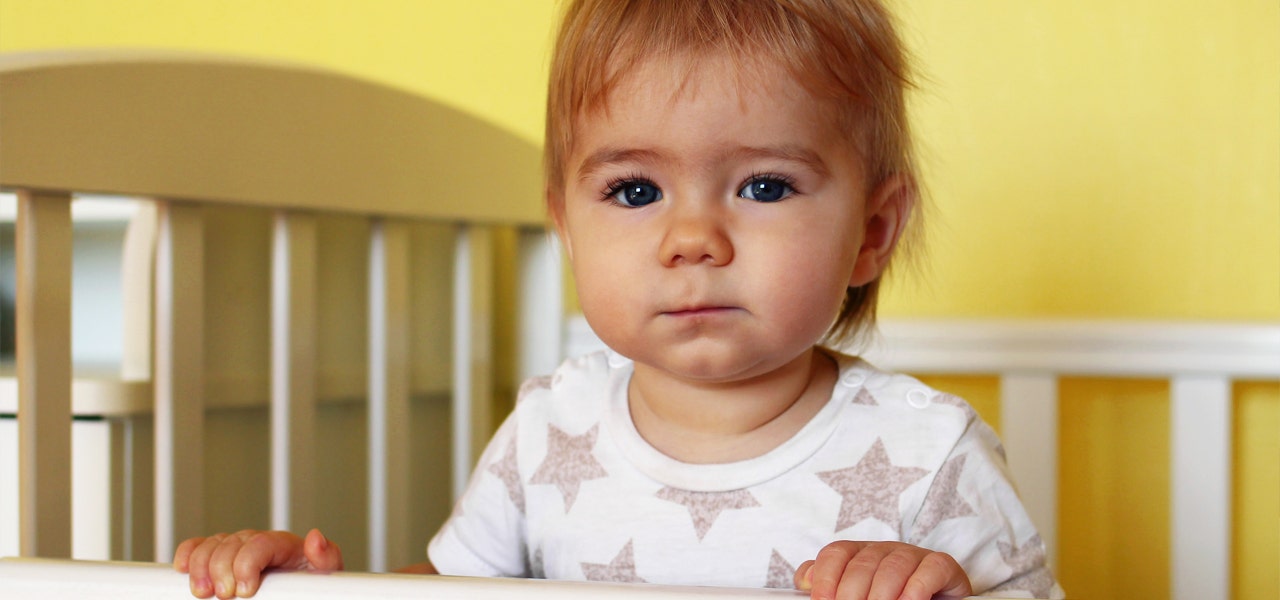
<point>728,423</point>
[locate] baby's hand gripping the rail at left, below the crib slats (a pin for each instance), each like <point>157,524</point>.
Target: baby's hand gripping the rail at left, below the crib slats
<point>230,566</point>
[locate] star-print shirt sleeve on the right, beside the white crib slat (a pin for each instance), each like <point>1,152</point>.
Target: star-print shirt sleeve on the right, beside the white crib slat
<point>972,512</point>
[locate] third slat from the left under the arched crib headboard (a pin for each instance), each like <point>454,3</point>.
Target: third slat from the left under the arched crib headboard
<point>294,372</point>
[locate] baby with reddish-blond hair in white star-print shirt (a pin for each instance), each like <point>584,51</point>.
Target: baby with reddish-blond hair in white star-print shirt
<point>730,181</point>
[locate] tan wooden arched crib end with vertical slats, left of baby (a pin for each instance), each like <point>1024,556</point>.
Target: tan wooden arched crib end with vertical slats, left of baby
<point>188,132</point>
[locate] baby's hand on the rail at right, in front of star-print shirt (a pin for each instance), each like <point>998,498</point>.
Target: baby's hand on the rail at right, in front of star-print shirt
<point>881,571</point>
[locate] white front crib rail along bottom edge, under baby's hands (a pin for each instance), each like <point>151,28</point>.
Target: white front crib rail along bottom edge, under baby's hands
<point>66,580</point>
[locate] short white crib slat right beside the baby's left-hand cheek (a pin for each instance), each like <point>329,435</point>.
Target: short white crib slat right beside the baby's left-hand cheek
<point>542,304</point>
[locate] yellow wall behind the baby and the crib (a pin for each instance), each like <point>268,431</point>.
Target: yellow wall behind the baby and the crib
<point>1085,161</point>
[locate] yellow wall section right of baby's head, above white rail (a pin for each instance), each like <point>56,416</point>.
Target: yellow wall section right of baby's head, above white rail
<point>1099,159</point>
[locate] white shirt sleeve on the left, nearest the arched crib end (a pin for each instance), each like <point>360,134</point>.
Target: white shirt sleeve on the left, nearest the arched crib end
<point>486,534</point>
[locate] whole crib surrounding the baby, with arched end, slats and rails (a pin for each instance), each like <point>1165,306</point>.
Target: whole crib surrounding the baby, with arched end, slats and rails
<point>452,292</point>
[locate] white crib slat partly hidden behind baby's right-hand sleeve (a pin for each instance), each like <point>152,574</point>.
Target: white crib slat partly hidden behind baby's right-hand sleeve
<point>1028,415</point>
